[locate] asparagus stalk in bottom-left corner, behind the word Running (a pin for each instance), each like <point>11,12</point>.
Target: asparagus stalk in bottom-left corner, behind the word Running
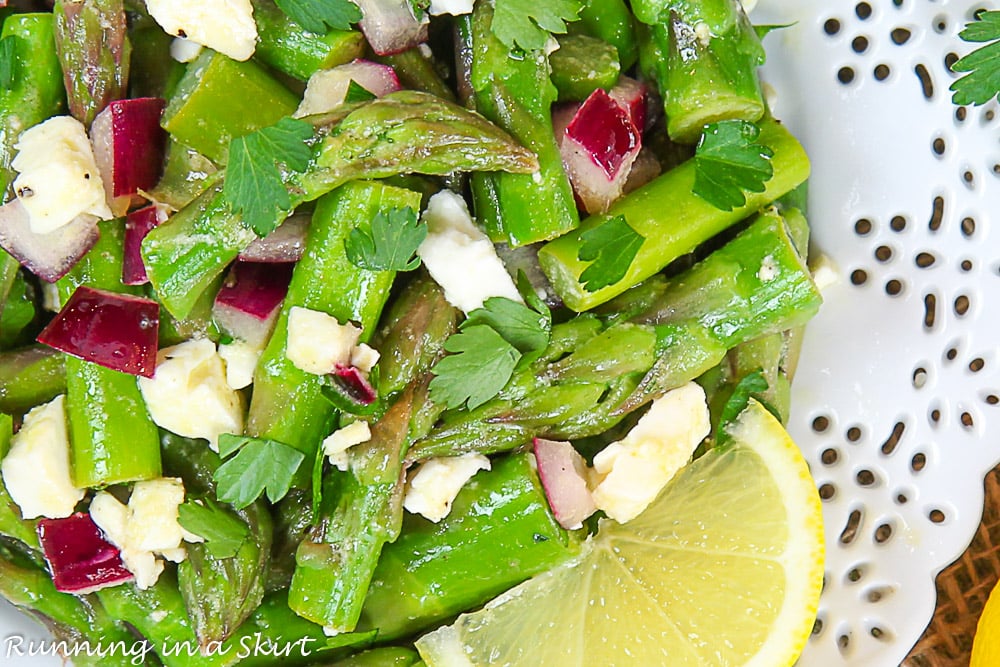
<point>86,627</point>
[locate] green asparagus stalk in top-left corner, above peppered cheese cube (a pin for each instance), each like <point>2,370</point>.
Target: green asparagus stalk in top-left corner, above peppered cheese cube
<point>36,92</point>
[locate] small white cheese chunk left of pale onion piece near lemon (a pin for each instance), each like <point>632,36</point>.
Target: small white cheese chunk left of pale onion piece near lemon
<point>433,487</point>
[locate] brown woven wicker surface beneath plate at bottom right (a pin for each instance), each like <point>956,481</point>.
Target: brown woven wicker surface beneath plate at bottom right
<point>962,589</point>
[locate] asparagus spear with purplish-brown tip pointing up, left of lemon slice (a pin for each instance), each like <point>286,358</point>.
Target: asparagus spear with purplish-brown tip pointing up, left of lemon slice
<point>362,508</point>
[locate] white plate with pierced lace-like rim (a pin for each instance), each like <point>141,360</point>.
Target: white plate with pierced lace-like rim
<point>891,156</point>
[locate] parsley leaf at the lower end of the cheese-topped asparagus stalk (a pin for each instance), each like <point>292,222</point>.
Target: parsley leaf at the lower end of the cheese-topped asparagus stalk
<point>259,466</point>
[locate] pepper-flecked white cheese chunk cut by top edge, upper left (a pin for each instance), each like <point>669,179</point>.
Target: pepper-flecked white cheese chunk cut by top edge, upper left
<point>226,26</point>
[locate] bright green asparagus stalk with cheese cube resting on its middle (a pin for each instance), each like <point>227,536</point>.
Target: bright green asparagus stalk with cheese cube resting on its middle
<point>288,404</point>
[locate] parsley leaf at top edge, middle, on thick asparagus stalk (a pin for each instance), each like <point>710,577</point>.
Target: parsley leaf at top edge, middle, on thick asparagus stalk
<point>527,24</point>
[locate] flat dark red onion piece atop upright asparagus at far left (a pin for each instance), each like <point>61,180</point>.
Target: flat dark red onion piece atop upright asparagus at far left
<point>118,331</point>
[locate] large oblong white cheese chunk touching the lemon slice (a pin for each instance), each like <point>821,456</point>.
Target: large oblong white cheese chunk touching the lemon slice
<point>630,473</point>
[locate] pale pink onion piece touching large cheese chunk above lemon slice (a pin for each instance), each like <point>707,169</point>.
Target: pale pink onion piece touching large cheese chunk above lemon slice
<point>563,474</point>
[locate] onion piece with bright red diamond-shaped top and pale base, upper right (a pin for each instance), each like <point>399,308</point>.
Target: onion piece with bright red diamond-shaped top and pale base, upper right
<point>598,144</point>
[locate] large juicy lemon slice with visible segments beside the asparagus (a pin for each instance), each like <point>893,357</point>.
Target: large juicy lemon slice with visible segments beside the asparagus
<point>724,568</point>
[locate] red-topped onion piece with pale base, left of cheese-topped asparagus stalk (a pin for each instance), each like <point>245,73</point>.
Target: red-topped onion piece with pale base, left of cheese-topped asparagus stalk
<point>249,300</point>
